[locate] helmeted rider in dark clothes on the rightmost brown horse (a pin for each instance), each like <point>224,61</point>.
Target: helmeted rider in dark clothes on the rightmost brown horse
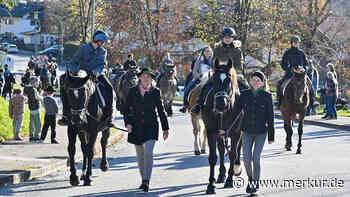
<point>293,57</point>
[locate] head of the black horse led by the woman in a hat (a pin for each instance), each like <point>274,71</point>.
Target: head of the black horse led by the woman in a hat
<point>78,93</point>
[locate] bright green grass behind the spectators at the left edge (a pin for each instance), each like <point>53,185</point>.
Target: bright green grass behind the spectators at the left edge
<point>6,128</point>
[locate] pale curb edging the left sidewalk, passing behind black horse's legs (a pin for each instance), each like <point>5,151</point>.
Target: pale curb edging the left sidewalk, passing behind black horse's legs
<point>18,176</point>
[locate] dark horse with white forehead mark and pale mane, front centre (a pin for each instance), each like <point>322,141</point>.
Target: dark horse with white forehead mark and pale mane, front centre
<point>217,113</point>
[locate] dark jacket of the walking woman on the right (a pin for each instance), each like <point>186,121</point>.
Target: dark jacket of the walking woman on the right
<point>258,112</point>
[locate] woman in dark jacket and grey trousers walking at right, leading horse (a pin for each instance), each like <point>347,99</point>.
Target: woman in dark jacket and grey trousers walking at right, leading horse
<point>258,122</point>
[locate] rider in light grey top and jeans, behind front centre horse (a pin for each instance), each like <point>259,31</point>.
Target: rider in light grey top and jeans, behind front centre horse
<point>201,66</point>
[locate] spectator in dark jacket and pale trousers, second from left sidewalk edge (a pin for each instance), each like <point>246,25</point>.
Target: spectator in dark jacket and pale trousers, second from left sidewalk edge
<point>34,106</point>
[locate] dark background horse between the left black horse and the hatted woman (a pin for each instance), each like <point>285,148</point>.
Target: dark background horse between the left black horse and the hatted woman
<point>122,84</point>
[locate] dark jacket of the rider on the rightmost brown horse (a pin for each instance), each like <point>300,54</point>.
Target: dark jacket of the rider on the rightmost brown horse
<point>293,57</point>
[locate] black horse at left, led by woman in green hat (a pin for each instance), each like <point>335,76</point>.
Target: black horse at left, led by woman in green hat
<point>85,104</point>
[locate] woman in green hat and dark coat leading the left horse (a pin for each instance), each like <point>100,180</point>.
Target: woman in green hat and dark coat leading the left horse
<point>141,121</point>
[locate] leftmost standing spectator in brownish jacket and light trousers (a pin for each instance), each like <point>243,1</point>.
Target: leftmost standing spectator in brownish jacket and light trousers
<point>16,112</point>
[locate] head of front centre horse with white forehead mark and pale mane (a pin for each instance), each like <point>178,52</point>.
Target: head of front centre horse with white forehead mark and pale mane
<point>223,88</point>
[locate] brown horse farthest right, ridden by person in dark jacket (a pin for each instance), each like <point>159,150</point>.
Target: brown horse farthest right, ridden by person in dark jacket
<point>295,101</point>
